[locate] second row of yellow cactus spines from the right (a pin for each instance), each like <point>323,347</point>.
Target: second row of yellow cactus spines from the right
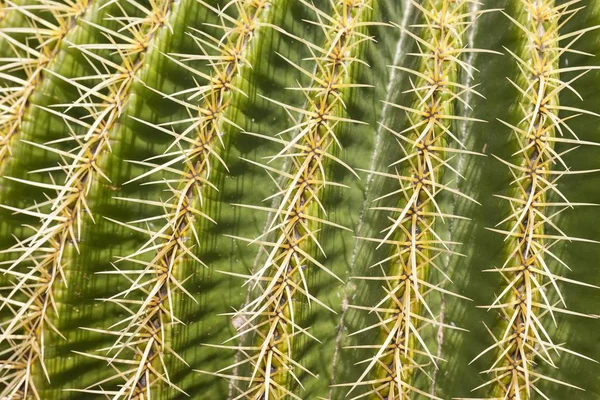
<point>427,145</point>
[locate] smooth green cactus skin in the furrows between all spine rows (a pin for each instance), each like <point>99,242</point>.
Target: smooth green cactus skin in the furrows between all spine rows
<point>365,147</point>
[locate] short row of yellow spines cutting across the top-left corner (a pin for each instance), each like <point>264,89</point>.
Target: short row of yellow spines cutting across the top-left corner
<point>24,71</point>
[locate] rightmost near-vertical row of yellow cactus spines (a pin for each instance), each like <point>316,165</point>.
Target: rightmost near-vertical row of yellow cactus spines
<point>531,282</point>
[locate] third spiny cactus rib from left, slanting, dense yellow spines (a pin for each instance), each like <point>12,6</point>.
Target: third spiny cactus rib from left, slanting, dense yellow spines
<point>144,334</point>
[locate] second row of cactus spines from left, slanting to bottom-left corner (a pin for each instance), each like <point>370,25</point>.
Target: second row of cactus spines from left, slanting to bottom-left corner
<point>61,224</point>
